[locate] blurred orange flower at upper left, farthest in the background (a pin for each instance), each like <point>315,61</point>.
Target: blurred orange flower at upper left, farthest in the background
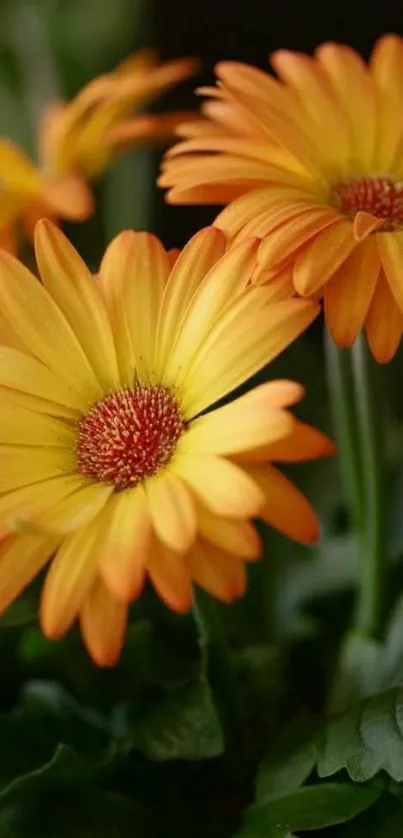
<point>78,140</point>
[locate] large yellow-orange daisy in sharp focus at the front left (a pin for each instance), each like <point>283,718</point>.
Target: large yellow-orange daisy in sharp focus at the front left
<point>109,461</point>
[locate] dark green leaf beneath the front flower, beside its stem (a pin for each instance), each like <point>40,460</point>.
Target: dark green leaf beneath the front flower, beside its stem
<point>183,726</point>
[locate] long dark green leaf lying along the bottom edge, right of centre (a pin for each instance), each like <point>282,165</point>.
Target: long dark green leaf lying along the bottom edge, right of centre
<point>313,807</point>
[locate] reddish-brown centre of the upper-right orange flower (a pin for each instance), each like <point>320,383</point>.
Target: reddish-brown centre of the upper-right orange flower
<point>380,196</point>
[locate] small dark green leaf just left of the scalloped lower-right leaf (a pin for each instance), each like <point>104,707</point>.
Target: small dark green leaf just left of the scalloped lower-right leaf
<point>289,760</point>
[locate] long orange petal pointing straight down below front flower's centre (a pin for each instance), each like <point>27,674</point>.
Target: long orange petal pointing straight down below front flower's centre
<point>125,548</point>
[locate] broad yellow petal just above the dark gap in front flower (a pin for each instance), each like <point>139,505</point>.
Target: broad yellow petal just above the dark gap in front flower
<point>248,336</point>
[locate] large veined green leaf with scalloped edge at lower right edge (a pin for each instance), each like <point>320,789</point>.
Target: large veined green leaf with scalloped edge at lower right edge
<point>366,739</point>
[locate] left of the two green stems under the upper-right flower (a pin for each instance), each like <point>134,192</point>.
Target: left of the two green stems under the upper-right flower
<point>341,385</point>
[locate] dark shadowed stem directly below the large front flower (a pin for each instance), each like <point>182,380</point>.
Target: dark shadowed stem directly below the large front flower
<point>219,670</point>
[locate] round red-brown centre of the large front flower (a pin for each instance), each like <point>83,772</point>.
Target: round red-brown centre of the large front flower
<point>128,436</point>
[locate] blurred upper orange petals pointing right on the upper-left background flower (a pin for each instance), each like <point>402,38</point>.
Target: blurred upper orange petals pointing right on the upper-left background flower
<point>83,135</point>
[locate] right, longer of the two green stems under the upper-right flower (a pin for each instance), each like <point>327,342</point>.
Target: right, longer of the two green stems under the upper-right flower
<point>373,558</point>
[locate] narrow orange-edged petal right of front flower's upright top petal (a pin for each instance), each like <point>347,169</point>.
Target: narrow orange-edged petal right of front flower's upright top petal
<point>191,267</point>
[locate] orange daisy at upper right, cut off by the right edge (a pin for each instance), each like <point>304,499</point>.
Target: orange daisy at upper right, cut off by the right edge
<point>312,163</point>
